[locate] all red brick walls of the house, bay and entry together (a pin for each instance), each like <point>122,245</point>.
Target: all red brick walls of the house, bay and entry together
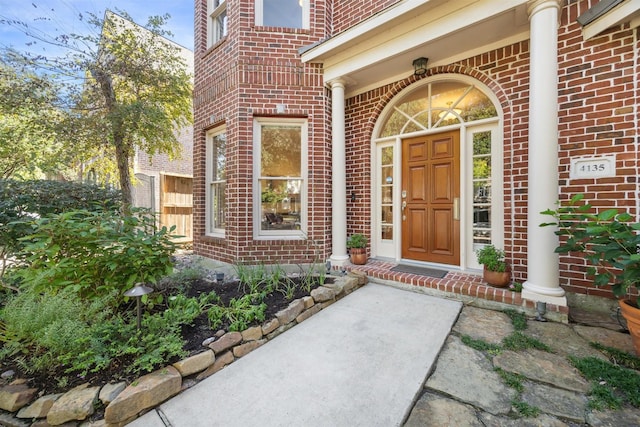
<point>256,68</point>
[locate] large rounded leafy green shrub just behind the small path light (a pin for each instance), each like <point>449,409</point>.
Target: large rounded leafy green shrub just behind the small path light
<point>95,253</point>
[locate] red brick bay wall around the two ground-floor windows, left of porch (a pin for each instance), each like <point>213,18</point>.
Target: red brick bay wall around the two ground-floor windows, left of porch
<point>246,76</point>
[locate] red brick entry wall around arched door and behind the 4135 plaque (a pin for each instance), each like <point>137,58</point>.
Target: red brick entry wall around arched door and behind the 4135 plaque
<point>598,115</point>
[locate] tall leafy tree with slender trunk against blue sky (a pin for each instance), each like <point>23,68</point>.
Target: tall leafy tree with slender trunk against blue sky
<point>125,87</point>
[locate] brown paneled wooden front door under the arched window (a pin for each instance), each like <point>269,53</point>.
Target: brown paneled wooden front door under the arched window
<point>431,198</point>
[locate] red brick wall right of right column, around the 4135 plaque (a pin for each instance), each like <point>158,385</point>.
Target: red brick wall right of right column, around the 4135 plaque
<point>599,115</point>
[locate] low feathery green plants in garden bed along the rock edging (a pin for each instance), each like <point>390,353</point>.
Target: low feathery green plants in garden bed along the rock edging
<point>43,332</point>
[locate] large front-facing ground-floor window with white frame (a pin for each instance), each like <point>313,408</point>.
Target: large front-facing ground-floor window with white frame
<point>280,153</point>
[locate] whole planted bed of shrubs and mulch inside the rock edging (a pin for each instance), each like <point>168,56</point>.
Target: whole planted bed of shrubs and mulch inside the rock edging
<point>68,322</point>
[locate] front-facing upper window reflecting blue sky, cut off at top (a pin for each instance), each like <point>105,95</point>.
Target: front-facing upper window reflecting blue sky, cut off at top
<point>283,13</point>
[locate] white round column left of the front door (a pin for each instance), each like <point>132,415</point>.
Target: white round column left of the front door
<point>339,255</point>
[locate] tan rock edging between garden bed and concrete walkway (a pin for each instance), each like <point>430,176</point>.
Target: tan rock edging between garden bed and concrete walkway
<point>125,402</point>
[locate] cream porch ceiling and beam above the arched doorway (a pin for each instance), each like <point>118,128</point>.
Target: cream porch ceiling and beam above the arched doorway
<point>382,48</point>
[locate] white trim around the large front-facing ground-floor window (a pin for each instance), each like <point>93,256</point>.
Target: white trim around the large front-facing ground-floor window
<point>258,232</point>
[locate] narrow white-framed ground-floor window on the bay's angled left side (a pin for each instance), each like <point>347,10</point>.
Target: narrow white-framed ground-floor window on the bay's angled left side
<point>216,182</point>
